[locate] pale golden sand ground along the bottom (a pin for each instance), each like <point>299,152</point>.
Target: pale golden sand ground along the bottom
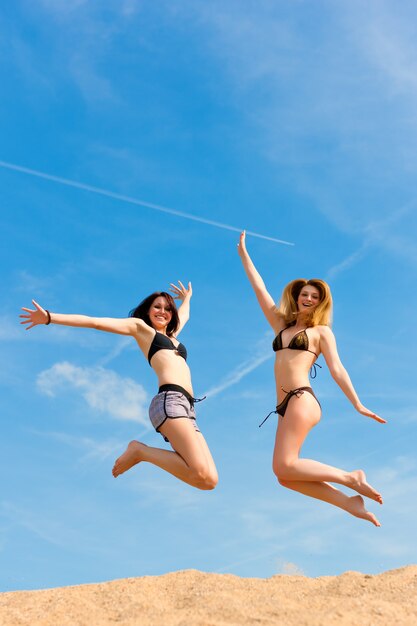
<point>193,598</point>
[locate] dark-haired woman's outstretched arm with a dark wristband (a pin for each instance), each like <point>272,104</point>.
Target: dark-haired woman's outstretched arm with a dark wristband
<point>39,315</point>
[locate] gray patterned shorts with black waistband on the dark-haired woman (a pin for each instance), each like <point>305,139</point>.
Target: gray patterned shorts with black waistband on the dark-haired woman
<point>172,401</point>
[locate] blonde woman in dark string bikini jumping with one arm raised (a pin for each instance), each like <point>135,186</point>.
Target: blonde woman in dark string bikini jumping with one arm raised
<point>301,324</point>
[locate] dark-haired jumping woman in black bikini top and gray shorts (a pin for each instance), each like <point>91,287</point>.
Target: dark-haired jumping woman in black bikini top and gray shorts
<point>155,325</point>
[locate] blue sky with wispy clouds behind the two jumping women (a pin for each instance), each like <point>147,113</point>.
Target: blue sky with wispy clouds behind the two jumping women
<point>295,120</point>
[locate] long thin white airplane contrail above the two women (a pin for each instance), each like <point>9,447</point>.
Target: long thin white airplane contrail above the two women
<point>128,199</point>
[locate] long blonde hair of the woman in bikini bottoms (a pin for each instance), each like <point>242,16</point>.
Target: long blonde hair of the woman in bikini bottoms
<point>321,314</point>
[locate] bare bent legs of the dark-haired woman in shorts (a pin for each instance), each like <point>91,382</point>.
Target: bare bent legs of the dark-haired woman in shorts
<point>190,461</point>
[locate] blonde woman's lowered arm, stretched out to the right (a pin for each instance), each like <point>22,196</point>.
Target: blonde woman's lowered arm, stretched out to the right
<point>329,349</point>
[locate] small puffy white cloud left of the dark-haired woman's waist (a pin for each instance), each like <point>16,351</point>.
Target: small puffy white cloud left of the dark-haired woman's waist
<point>103,390</point>
